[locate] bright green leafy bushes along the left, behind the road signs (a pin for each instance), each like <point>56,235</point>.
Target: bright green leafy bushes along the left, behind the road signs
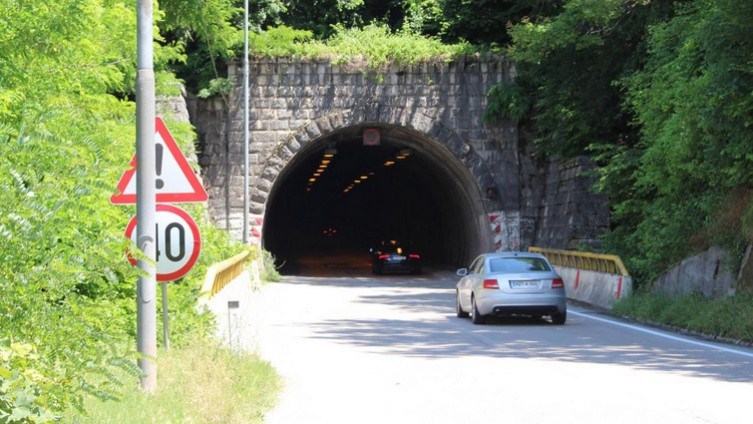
<point>67,326</point>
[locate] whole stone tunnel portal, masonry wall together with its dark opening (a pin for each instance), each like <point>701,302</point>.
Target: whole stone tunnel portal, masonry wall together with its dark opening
<point>464,184</point>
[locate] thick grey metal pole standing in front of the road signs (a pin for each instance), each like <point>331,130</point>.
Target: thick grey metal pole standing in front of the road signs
<point>146,200</point>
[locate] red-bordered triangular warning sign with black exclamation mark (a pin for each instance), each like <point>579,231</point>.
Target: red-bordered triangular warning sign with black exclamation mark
<point>175,181</point>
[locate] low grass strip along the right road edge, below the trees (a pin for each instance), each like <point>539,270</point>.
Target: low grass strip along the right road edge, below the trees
<point>730,318</point>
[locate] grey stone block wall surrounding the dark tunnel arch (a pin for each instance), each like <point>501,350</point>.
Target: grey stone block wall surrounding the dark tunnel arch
<point>294,103</point>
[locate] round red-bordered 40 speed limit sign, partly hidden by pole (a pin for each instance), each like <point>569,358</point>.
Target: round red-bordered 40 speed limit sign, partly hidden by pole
<point>178,242</point>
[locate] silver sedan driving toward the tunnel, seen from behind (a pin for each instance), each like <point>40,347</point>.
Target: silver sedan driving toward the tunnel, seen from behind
<point>510,283</point>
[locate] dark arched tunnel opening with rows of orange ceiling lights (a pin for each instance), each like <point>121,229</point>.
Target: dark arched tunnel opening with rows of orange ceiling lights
<point>356,186</point>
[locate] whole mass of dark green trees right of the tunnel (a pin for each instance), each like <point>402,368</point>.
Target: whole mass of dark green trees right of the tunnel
<point>658,94</point>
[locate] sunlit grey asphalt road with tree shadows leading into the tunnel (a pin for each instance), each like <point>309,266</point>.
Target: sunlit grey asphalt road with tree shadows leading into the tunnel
<point>356,348</point>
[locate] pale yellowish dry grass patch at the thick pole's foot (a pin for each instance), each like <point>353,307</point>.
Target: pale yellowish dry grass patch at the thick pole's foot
<point>199,383</point>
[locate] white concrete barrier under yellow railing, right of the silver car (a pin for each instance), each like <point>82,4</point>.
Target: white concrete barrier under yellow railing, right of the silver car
<point>598,289</point>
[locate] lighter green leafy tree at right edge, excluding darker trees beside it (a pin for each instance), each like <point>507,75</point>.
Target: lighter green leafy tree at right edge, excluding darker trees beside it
<point>693,107</point>
